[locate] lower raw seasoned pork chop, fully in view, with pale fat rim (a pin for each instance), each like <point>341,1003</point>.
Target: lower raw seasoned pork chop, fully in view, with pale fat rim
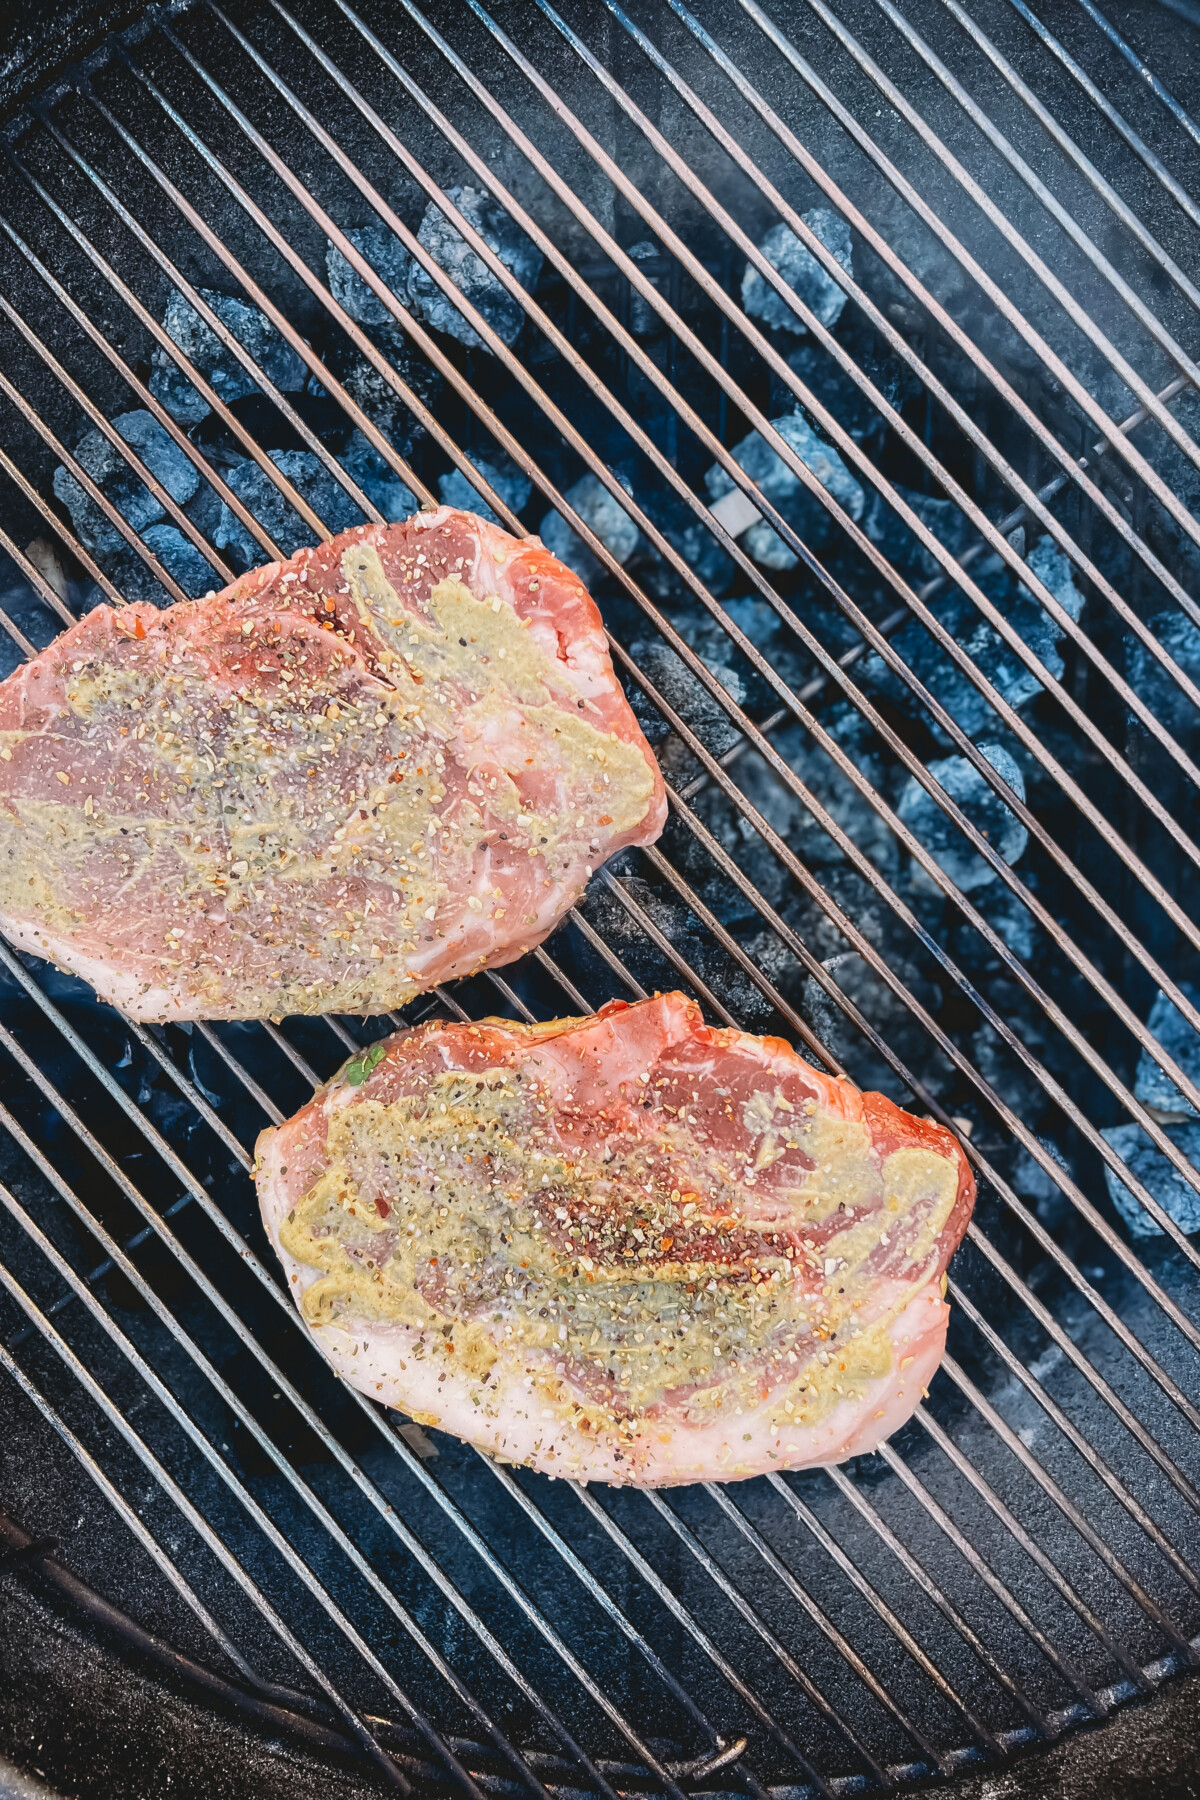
<point>625,1248</point>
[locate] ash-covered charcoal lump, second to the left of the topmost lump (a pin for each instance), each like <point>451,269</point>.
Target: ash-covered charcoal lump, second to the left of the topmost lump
<point>219,364</point>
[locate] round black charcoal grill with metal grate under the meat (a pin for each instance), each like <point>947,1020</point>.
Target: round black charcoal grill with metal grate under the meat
<point>1016,368</point>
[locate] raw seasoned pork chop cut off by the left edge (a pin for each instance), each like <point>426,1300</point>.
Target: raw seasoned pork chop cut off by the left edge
<point>388,762</point>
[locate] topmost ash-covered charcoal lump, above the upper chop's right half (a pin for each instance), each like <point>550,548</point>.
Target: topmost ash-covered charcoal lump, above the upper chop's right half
<point>469,273</point>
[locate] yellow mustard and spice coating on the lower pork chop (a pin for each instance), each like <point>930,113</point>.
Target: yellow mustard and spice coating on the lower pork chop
<point>620,1281</point>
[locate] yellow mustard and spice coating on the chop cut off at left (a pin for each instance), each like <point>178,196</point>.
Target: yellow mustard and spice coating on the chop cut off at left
<point>201,831</point>
